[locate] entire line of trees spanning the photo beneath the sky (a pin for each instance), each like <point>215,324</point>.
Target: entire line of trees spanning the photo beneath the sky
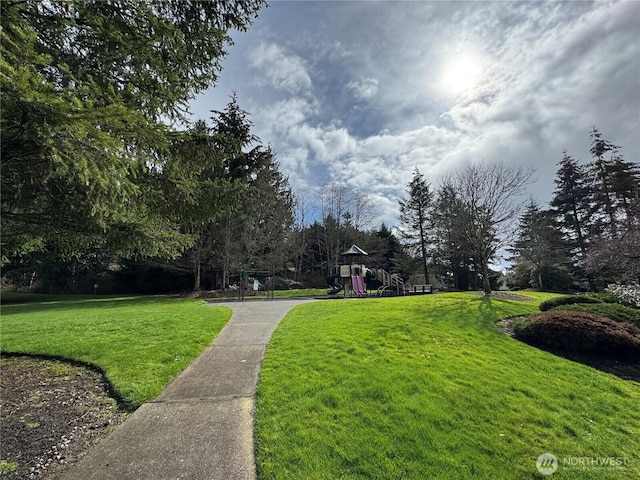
<point>100,188</point>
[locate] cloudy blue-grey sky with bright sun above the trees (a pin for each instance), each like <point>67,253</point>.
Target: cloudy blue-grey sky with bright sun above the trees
<point>365,92</point>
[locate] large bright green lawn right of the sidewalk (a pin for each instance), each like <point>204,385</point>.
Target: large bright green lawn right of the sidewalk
<point>428,387</point>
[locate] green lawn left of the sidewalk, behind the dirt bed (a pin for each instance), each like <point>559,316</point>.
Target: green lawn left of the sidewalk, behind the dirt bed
<point>140,343</point>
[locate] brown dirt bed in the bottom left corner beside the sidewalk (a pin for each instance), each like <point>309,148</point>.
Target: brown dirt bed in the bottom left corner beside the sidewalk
<point>51,412</point>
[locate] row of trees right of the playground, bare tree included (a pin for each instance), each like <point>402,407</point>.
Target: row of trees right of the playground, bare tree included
<point>587,238</point>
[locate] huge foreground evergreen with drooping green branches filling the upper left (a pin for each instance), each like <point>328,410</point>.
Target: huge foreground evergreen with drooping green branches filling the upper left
<point>84,87</point>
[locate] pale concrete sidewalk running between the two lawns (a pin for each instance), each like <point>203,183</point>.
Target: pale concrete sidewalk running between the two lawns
<point>201,425</point>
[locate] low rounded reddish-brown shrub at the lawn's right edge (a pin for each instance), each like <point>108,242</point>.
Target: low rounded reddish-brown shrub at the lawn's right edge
<point>580,332</point>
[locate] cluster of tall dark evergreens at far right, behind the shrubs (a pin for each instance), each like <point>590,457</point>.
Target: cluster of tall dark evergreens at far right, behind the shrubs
<point>589,235</point>
